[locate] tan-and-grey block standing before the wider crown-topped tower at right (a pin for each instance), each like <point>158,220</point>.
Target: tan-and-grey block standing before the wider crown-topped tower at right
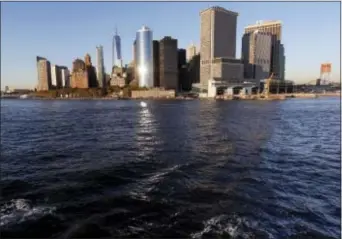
<point>256,55</point>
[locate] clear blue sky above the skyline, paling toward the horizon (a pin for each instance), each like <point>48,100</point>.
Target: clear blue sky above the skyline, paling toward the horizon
<point>63,31</point>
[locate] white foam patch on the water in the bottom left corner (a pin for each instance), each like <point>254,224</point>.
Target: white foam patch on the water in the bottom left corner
<point>21,210</point>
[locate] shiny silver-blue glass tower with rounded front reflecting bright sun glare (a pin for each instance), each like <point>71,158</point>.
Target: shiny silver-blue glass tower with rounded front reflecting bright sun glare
<point>145,57</point>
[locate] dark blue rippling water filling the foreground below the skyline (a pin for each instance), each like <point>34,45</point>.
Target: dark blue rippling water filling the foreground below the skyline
<point>199,169</point>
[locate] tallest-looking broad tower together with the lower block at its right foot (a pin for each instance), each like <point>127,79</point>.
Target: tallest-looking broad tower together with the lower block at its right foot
<point>218,47</point>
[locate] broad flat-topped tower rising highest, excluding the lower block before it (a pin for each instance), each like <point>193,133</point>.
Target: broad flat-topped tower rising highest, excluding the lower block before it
<point>218,38</point>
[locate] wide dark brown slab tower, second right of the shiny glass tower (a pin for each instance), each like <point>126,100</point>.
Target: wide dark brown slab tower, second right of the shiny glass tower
<point>168,60</point>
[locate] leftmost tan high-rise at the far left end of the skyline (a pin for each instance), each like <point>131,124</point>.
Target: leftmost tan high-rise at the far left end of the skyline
<point>44,74</point>
